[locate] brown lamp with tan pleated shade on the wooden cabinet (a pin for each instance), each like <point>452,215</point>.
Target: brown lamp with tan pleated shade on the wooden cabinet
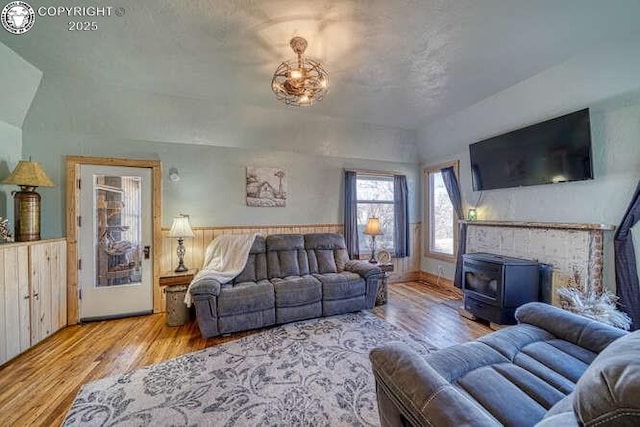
<point>28,176</point>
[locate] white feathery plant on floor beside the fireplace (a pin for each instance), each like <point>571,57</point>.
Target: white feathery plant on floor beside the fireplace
<point>596,304</point>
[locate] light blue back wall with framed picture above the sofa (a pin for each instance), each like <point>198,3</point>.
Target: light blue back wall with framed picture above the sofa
<point>210,145</point>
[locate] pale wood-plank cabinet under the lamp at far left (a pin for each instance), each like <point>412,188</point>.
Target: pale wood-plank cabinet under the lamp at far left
<point>33,294</point>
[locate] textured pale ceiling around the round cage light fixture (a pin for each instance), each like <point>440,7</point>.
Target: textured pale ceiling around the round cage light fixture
<point>391,62</point>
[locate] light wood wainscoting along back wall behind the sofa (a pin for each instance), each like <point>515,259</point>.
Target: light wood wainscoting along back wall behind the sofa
<point>404,268</point>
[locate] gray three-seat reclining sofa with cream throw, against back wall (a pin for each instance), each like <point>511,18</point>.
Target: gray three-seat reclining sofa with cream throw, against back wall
<point>288,277</point>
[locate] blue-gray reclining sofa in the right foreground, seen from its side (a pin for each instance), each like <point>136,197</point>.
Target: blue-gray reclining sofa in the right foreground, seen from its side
<point>552,369</point>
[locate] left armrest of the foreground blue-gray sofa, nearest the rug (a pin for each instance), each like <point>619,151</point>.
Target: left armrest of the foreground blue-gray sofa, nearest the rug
<point>419,393</point>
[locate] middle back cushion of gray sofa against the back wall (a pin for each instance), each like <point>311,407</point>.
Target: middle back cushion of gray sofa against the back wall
<point>286,256</point>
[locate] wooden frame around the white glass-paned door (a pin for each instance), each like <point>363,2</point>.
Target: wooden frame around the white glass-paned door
<point>73,164</point>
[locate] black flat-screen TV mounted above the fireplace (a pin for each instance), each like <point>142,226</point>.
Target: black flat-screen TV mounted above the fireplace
<point>557,150</point>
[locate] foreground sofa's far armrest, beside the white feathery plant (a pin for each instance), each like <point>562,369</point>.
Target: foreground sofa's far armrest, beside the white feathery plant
<point>571,327</point>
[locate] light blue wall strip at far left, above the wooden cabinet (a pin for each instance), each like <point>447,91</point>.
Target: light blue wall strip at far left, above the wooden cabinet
<point>20,81</point>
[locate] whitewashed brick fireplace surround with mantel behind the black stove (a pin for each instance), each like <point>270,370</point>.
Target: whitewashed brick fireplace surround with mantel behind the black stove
<point>576,251</point>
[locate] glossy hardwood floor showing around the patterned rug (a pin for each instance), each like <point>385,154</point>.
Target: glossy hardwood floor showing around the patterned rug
<point>38,387</point>
